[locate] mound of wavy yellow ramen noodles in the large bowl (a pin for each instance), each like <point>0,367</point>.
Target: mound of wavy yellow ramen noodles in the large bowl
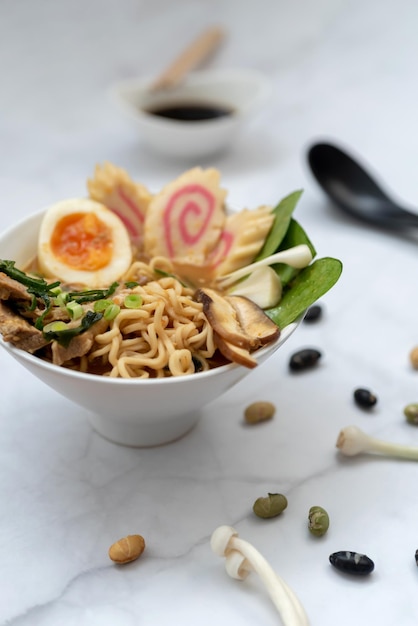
<point>168,335</point>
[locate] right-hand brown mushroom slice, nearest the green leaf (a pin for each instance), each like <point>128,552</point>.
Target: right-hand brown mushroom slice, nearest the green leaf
<point>252,318</point>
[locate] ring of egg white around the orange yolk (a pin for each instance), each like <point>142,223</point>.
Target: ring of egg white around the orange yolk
<point>51,267</point>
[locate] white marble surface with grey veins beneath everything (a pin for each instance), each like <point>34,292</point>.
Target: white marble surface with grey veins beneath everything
<point>342,70</point>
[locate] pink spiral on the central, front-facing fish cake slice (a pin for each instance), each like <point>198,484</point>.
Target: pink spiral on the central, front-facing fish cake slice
<point>190,201</point>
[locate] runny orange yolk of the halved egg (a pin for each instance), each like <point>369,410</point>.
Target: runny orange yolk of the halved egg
<point>82,241</point>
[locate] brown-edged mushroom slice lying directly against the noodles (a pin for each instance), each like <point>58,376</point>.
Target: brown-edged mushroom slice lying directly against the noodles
<point>223,318</point>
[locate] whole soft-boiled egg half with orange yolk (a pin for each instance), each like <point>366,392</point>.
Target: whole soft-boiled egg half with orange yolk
<point>81,241</point>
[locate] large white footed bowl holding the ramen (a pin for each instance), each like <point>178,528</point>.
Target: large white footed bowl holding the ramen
<point>129,412</point>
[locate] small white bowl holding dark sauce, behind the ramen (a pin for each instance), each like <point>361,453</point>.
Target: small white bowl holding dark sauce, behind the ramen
<point>244,92</point>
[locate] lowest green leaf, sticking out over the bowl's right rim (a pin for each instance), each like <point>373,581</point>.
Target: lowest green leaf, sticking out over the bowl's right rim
<point>310,284</point>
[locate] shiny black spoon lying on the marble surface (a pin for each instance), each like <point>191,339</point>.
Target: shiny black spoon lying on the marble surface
<point>353,190</point>
